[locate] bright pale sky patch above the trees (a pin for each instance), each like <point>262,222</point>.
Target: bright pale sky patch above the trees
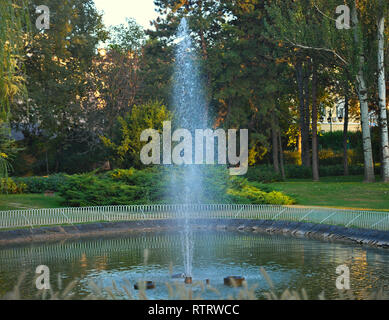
<point>116,11</point>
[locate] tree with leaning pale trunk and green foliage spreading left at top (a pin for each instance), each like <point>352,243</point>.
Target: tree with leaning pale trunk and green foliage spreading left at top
<point>343,50</point>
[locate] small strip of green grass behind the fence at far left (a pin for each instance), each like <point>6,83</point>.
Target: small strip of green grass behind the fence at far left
<point>29,201</point>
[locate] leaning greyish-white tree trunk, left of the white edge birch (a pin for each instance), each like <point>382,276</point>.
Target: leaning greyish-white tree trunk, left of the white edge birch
<point>362,94</point>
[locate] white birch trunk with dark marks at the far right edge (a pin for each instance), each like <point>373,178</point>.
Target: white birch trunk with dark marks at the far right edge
<point>382,99</point>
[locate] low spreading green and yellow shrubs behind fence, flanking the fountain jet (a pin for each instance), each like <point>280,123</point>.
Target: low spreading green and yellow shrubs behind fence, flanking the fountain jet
<point>151,186</point>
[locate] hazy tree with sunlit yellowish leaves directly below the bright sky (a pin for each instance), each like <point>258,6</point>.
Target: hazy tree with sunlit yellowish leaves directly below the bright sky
<point>115,76</point>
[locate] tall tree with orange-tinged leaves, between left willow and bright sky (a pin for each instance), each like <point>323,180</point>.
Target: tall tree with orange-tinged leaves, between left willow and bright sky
<point>57,61</point>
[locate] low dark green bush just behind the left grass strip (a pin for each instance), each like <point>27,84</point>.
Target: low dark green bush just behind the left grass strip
<point>42,184</point>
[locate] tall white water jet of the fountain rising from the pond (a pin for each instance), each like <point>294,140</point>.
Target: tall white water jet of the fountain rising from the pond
<point>190,113</point>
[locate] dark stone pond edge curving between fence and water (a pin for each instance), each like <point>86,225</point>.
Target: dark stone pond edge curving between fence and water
<point>372,238</point>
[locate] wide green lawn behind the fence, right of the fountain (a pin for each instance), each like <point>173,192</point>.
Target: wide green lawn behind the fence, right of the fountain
<point>340,192</point>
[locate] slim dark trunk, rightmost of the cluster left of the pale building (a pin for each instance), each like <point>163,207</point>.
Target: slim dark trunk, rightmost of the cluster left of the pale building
<point>315,152</point>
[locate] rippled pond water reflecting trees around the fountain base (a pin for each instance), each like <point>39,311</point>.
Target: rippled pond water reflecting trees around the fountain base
<point>291,263</point>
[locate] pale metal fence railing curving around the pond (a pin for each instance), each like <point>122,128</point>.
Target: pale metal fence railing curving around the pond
<point>62,216</point>
